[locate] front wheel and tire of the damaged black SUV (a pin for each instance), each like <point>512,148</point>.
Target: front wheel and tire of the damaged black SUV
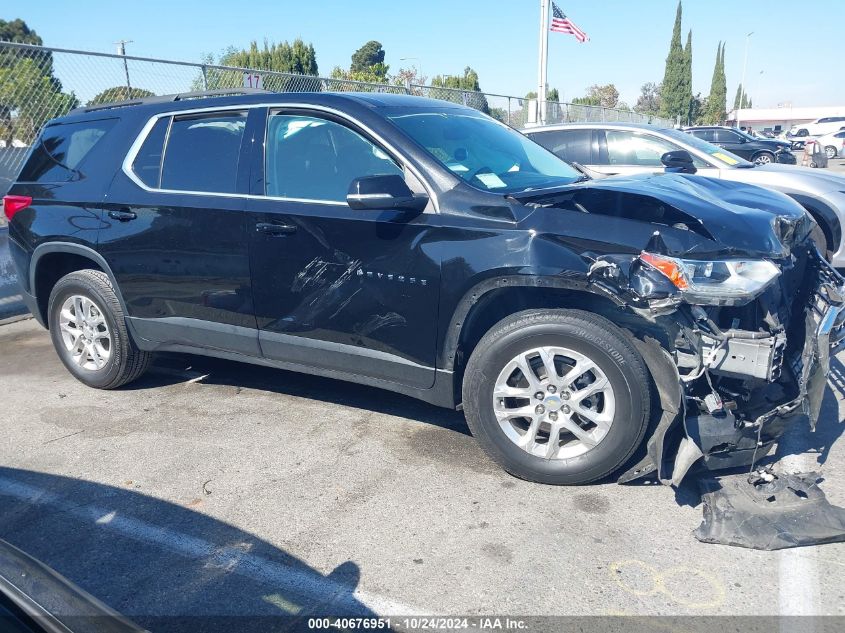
<point>627,403</point>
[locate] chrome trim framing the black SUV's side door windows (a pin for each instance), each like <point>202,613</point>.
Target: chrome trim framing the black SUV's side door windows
<point>148,126</point>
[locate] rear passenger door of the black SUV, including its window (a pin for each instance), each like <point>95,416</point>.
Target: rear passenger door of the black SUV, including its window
<point>174,233</point>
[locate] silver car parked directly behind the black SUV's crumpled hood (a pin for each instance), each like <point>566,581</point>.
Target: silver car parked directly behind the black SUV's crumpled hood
<point>628,148</point>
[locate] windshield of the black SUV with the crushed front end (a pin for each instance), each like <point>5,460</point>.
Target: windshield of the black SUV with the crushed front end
<point>485,153</point>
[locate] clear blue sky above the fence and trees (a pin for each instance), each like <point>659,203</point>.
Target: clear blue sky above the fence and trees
<point>628,39</point>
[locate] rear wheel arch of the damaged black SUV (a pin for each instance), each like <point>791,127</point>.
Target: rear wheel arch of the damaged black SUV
<point>53,260</point>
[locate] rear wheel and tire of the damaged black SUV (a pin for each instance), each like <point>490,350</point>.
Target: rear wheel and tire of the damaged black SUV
<point>101,355</point>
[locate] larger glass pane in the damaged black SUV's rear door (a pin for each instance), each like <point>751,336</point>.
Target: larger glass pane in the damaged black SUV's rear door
<point>202,152</point>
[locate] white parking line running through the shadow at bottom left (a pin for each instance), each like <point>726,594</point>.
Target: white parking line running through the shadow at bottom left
<point>280,578</point>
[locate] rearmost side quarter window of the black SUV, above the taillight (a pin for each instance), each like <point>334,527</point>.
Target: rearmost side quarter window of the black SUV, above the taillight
<point>60,151</point>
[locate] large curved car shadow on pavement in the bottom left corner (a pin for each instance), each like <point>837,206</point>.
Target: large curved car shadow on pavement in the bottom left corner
<point>165,566</point>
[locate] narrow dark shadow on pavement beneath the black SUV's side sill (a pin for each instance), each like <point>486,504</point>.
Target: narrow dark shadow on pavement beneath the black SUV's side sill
<point>176,368</point>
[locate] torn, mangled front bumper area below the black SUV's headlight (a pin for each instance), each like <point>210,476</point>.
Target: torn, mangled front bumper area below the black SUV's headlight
<point>758,396</point>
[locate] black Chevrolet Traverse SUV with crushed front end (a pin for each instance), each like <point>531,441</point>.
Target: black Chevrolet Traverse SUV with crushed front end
<point>425,248</point>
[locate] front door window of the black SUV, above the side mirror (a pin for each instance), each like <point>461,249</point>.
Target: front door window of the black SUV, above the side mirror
<point>317,159</point>
